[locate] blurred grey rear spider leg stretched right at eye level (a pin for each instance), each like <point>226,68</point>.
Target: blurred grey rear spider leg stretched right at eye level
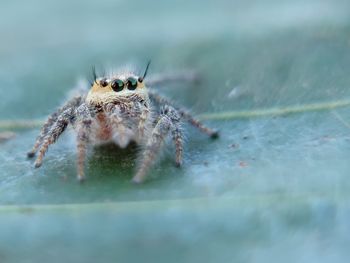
<point>185,76</point>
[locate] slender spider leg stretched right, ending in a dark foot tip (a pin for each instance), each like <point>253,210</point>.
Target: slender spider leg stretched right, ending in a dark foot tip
<point>185,114</point>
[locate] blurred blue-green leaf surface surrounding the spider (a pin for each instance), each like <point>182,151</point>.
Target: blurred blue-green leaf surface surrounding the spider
<point>271,188</point>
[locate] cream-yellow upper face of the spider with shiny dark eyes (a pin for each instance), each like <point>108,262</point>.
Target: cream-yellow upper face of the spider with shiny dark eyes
<point>107,89</point>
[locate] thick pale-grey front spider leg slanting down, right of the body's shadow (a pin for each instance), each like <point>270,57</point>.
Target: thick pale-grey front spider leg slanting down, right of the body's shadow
<point>168,120</point>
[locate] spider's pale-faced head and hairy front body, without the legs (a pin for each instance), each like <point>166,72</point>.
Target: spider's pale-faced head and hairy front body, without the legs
<point>121,109</point>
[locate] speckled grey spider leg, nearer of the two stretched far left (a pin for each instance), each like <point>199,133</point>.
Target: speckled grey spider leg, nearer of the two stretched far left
<point>55,131</point>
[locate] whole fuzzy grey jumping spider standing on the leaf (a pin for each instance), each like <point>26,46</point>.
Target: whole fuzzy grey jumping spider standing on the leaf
<point>120,109</point>
